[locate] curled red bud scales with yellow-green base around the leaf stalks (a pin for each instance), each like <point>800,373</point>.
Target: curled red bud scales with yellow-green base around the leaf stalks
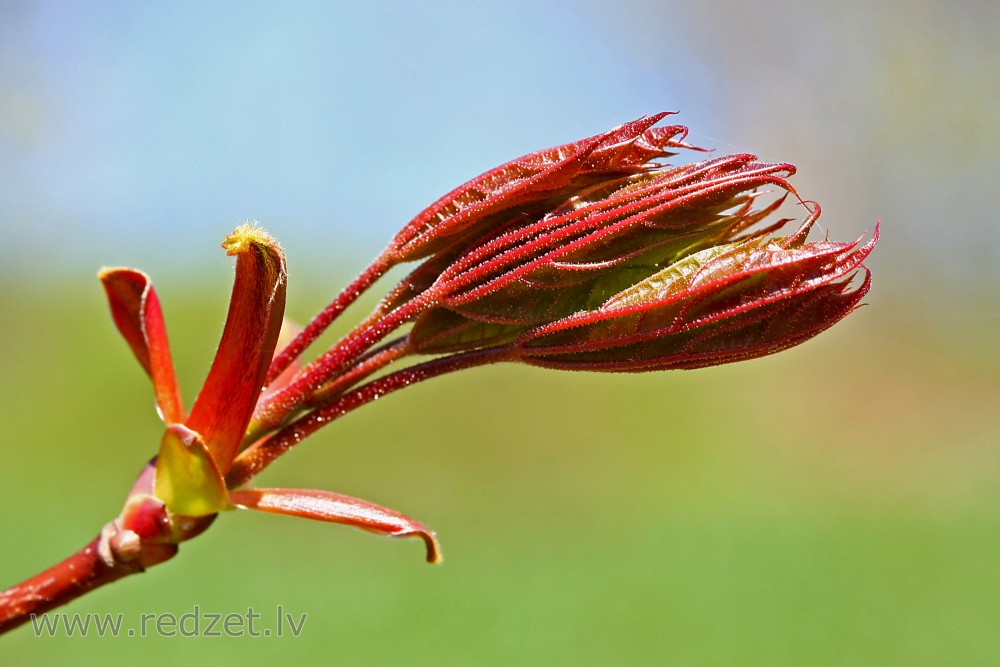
<point>196,451</point>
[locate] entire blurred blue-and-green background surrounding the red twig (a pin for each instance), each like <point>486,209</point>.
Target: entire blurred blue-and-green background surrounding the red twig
<point>835,504</point>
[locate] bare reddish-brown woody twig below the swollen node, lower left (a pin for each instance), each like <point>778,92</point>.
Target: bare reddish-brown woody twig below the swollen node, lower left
<point>80,573</point>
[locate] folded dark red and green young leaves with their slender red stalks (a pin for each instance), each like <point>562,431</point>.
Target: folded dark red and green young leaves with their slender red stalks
<point>588,256</point>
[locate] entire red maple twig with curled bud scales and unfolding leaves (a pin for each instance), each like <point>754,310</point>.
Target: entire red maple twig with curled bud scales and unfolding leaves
<point>586,256</point>
